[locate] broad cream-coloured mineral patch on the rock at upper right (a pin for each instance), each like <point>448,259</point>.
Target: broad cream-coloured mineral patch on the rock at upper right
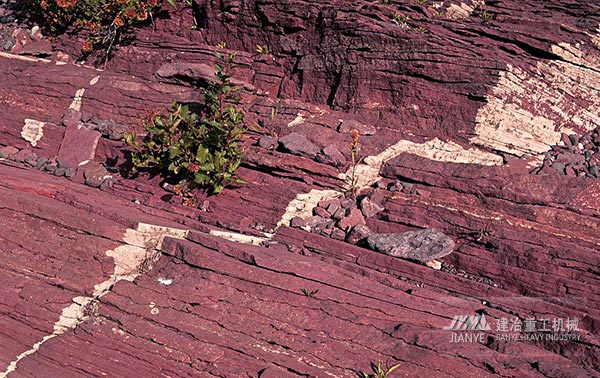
<point>530,108</point>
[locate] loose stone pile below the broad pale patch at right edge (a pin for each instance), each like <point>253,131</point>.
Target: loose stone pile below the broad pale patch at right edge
<point>575,157</point>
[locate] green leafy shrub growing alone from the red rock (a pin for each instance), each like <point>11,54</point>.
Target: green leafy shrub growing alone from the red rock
<point>198,150</point>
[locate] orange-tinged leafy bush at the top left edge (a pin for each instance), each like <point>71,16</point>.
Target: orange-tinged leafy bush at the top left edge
<point>101,21</point>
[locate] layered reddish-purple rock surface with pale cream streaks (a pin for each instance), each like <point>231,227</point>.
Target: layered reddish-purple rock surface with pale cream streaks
<point>463,115</point>
